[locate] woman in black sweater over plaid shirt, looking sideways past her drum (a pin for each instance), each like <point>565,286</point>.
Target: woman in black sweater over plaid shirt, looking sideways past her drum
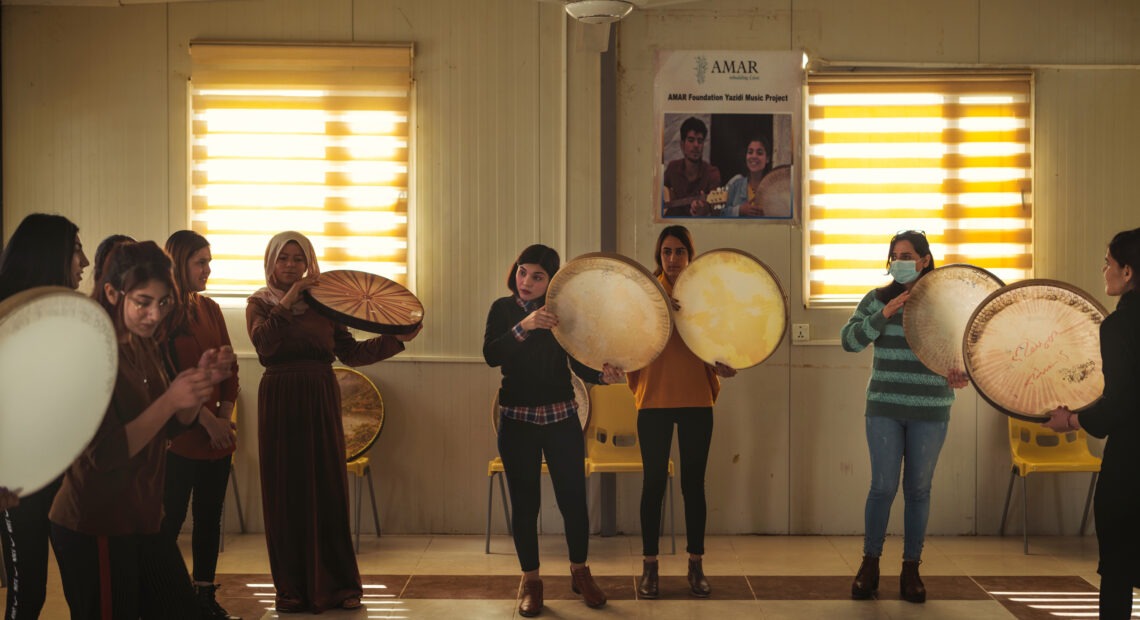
<point>539,417</point>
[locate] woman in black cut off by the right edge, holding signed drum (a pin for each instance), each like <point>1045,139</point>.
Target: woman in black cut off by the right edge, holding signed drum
<point>1118,418</point>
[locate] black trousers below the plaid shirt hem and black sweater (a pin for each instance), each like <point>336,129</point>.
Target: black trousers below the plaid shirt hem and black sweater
<point>523,445</point>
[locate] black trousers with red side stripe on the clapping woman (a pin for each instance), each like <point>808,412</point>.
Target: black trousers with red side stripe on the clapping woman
<point>124,577</point>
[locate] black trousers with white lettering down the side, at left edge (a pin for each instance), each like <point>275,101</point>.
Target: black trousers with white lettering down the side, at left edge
<point>25,534</point>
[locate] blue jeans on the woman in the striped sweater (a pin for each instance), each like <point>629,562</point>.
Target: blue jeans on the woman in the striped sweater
<point>891,443</point>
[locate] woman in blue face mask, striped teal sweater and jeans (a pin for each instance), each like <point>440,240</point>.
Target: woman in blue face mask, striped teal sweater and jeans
<point>908,413</point>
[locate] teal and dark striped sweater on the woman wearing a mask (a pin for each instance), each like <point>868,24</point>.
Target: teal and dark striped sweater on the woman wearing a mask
<point>901,387</point>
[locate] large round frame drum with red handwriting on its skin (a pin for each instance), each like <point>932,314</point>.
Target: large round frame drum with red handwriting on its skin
<point>1036,346</point>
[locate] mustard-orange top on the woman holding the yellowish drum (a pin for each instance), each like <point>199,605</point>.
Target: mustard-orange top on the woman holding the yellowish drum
<point>677,379</point>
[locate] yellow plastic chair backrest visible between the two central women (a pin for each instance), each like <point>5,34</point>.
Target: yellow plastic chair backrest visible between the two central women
<point>613,433</point>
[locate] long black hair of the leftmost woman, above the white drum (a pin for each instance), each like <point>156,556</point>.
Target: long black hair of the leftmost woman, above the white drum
<point>39,254</point>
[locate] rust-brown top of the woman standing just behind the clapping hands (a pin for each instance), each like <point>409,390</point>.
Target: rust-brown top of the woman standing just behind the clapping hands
<point>206,329</point>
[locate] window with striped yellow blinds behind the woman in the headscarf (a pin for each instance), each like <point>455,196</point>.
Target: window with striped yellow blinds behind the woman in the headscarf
<point>307,138</point>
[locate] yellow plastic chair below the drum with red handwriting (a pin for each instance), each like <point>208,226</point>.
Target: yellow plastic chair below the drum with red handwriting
<point>1037,450</point>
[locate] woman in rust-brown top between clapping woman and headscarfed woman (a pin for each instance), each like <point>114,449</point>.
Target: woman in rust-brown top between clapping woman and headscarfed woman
<point>199,460</point>
